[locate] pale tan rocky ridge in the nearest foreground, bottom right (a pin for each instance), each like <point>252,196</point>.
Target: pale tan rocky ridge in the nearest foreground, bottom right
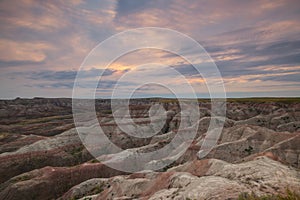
<point>198,179</point>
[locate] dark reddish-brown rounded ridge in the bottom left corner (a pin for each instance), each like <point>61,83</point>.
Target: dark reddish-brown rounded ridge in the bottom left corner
<point>51,182</point>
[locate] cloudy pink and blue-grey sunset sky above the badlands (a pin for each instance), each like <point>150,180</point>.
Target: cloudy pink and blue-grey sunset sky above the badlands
<point>254,44</point>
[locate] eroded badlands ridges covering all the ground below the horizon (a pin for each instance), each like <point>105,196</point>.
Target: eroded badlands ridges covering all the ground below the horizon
<point>43,157</point>
